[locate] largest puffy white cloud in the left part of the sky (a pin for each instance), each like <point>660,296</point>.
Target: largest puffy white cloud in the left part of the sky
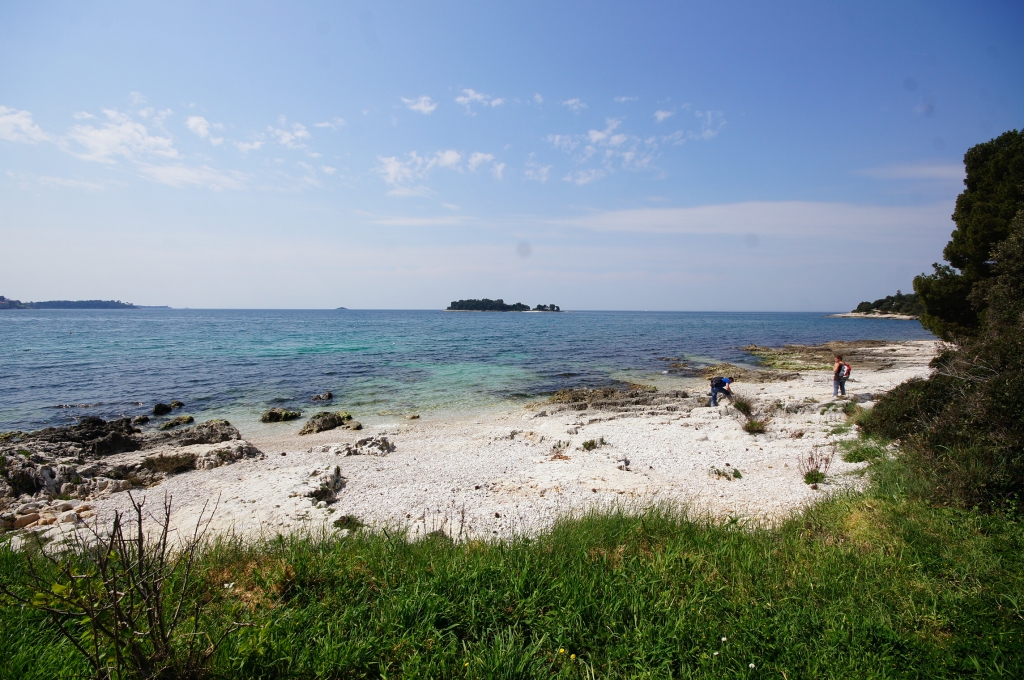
<point>120,137</point>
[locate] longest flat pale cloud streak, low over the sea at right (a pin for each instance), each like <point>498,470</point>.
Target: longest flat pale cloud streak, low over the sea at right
<point>791,219</point>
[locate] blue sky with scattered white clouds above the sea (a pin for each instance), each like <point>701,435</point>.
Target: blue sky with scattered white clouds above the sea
<point>603,156</point>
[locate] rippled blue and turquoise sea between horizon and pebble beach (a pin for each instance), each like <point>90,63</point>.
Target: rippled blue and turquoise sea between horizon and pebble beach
<point>61,365</point>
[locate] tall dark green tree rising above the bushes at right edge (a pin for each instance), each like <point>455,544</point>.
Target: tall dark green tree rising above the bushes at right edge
<point>994,196</point>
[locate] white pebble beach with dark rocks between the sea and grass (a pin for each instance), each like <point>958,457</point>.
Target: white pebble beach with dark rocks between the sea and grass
<point>500,474</point>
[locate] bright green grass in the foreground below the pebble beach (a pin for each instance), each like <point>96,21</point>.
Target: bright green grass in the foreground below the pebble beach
<point>877,585</point>
